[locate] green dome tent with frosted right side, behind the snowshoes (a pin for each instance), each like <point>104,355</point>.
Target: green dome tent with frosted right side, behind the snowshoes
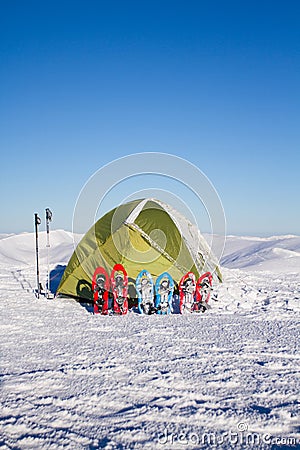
<point>141,234</point>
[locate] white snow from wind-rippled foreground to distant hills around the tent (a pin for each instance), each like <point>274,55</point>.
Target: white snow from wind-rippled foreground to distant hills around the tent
<point>228,378</point>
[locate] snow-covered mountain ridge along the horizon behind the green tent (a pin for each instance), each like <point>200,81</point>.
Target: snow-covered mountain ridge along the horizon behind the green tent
<point>275,253</point>
